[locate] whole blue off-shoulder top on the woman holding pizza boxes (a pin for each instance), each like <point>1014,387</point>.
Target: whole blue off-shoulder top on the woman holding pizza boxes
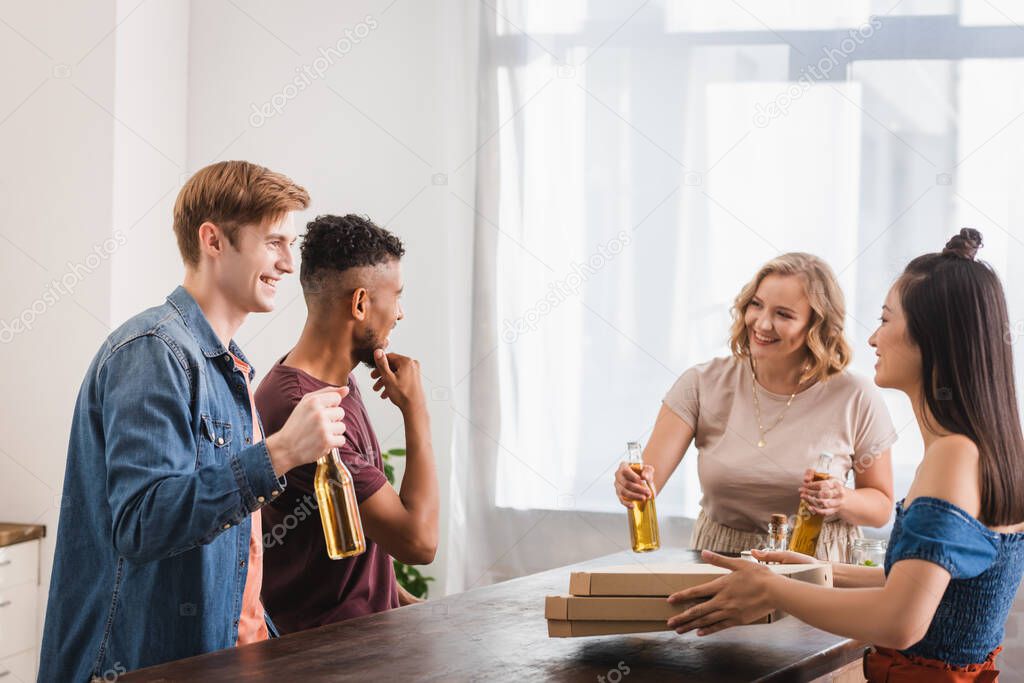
<point>987,570</point>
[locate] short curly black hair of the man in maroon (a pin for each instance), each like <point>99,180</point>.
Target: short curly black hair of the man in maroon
<point>335,244</point>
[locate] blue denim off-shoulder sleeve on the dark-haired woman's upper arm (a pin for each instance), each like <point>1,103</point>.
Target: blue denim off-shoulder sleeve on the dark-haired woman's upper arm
<point>941,533</point>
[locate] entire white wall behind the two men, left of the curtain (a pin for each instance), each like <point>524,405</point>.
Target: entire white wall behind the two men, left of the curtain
<point>114,105</point>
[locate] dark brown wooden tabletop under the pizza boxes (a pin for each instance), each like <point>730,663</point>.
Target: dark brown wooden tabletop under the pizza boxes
<point>499,633</point>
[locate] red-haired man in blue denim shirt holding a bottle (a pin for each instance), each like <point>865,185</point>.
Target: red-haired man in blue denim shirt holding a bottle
<point>157,560</point>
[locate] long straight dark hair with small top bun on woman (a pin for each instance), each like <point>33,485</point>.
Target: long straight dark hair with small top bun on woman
<point>956,313</point>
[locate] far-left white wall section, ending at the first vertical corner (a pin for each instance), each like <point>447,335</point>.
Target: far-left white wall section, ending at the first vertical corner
<point>58,135</point>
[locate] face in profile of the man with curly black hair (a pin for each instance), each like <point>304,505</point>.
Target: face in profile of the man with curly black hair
<point>377,310</point>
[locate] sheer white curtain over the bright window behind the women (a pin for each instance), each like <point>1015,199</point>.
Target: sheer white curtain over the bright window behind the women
<point>638,163</point>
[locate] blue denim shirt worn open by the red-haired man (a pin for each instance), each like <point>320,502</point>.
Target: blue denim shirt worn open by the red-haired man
<point>162,478</point>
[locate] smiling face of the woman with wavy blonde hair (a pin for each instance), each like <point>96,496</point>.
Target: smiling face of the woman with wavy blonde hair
<point>778,319</point>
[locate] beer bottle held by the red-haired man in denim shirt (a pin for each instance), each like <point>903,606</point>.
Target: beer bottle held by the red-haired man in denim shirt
<point>339,508</point>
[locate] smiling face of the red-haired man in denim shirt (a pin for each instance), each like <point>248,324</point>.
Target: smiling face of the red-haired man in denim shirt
<point>249,271</point>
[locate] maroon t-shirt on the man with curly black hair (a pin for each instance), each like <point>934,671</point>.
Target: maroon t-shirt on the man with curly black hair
<point>304,588</point>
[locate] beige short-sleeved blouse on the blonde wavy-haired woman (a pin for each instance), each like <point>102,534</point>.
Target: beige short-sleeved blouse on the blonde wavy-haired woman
<point>743,485</point>
